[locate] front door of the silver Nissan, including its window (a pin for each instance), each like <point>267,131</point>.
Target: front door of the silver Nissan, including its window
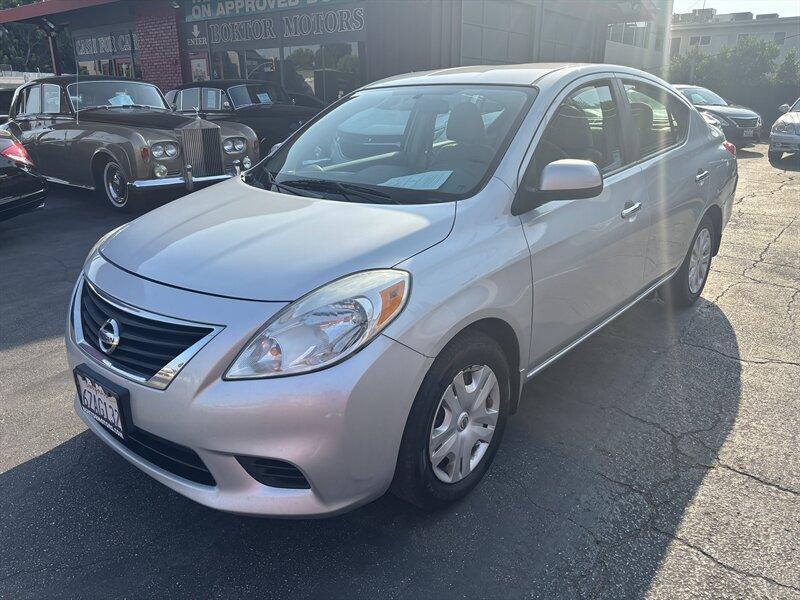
<point>587,255</point>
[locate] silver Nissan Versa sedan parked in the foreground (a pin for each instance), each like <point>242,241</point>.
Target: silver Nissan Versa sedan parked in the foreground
<point>359,311</point>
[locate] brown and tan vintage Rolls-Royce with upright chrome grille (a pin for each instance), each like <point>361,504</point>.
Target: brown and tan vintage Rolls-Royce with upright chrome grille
<point>121,138</point>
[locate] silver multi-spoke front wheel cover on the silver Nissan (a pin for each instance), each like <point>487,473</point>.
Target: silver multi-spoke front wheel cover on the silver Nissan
<point>464,423</point>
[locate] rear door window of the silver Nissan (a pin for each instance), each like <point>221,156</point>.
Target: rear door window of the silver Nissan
<point>660,119</point>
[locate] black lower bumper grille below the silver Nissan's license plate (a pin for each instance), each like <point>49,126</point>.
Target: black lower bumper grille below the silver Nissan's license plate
<point>178,460</point>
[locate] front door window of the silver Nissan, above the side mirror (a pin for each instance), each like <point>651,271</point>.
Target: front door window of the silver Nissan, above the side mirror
<point>586,126</point>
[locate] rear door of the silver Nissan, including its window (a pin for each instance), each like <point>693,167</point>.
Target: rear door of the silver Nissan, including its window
<point>675,172</point>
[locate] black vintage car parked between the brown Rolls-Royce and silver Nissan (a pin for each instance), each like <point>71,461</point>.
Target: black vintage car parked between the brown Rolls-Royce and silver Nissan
<point>261,105</point>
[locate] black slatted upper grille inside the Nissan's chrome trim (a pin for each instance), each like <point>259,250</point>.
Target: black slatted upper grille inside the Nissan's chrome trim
<point>145,345</point>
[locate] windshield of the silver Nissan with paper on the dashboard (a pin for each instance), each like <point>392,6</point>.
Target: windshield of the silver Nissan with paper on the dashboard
<point>405,145</point>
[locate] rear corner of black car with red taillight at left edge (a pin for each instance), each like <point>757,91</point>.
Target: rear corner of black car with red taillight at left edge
<point>21,187</point>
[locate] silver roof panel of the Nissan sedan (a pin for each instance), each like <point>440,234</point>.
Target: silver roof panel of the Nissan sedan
<point>523,74</point>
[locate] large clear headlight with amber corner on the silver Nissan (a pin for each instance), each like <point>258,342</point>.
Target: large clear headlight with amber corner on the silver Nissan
<point>325,326</point>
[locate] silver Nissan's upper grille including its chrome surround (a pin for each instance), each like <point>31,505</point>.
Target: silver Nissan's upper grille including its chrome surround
<point>150,350</point>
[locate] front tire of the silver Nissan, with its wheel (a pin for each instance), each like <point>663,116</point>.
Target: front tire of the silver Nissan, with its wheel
<point>428,472</point>
